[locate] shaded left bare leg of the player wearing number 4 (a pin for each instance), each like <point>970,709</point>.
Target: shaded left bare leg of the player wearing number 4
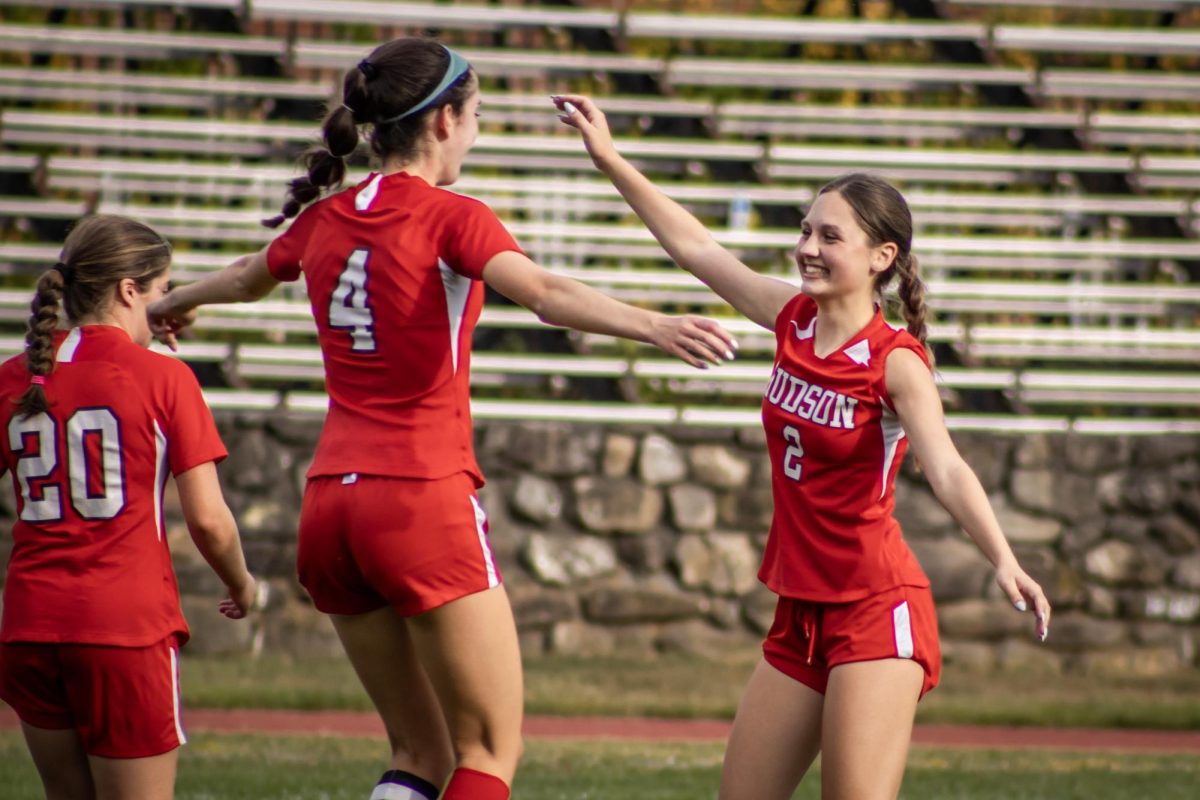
<point>382,652</point>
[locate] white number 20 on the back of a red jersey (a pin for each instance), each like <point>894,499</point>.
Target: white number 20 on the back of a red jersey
<point>41,464</point>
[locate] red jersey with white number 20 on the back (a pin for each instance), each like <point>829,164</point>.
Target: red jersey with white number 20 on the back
<point>91,563</point>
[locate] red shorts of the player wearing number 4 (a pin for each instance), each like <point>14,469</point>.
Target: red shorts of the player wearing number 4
<point>369,542</point>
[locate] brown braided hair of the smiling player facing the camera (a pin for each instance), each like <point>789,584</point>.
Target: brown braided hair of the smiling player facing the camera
<point>884,215</point>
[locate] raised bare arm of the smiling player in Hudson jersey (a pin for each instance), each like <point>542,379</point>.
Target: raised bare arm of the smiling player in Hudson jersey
<point>686,239</point>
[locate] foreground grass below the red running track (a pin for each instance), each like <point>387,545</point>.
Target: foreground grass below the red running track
<point>326,768</point>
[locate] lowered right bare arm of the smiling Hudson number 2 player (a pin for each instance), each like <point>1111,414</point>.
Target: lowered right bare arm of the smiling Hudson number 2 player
<point>920,410</point>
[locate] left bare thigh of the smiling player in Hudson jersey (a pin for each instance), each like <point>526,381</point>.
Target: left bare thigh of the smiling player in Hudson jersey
<point>777,735</point>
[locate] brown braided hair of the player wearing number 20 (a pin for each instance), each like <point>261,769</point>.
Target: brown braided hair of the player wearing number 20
<point>99,254</point>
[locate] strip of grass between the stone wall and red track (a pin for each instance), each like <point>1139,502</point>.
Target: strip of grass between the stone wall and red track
<point>689,688</point>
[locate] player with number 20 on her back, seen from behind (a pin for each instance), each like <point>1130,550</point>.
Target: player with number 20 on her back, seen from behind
<point>95,422</point>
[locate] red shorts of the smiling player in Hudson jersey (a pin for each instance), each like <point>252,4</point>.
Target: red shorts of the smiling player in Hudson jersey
<point>808,640</point>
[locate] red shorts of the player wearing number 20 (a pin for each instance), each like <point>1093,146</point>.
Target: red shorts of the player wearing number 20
<point>123,702</point>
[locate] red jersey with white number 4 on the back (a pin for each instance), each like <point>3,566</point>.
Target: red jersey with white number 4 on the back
<point>393,269</point>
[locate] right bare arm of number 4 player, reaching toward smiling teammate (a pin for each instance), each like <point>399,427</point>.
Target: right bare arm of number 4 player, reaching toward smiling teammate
<point>565,302</point>
